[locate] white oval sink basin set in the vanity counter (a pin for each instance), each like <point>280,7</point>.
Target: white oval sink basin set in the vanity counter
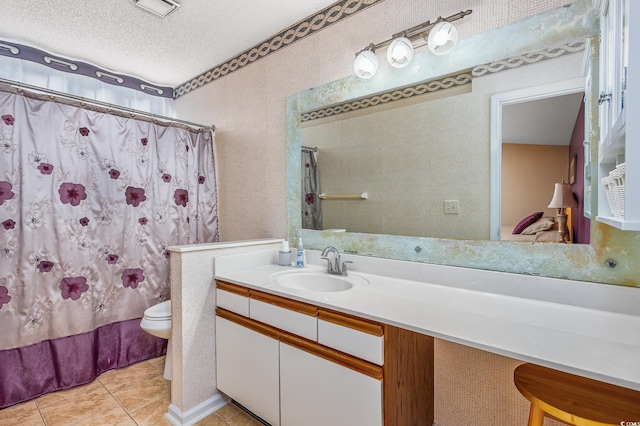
<point>315,281</point>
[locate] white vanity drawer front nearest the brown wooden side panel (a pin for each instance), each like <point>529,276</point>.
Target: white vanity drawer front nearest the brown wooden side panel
<point>357,343</point>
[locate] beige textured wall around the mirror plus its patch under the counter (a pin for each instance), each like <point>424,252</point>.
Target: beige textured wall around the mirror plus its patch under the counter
<point>248,108</point>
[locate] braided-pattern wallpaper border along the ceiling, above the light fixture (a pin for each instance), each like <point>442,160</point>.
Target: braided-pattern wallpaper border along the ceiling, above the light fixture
<point>326,17</point>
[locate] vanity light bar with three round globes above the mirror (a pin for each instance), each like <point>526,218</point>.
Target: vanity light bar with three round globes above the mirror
<point>441,36</point>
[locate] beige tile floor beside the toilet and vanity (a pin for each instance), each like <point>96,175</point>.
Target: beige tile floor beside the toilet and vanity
<point>135,395</point>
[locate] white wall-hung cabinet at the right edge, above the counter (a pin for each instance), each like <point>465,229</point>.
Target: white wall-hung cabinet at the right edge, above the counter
<point>619,107</point>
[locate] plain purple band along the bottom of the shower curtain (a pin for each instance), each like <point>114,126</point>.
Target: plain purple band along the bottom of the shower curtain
<point>53,365</point>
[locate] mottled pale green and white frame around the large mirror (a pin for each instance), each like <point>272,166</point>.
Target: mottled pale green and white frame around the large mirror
<point>608,259</point>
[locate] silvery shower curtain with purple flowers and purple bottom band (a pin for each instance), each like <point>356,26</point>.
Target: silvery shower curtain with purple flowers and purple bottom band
<point>90,201</point>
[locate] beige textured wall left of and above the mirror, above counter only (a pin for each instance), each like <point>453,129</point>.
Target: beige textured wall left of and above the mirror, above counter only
<point>248,106</point>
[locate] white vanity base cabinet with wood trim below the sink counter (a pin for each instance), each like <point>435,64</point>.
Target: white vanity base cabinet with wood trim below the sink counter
<point>332,368</point>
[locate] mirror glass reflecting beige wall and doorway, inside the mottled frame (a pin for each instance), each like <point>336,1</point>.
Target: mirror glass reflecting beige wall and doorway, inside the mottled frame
<point>416,158</point>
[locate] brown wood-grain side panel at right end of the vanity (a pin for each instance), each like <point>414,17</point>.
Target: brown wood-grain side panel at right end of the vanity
<point>408,378</point>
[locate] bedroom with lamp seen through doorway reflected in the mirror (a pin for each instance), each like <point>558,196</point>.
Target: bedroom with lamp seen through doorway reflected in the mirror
<point>541,142</point>
